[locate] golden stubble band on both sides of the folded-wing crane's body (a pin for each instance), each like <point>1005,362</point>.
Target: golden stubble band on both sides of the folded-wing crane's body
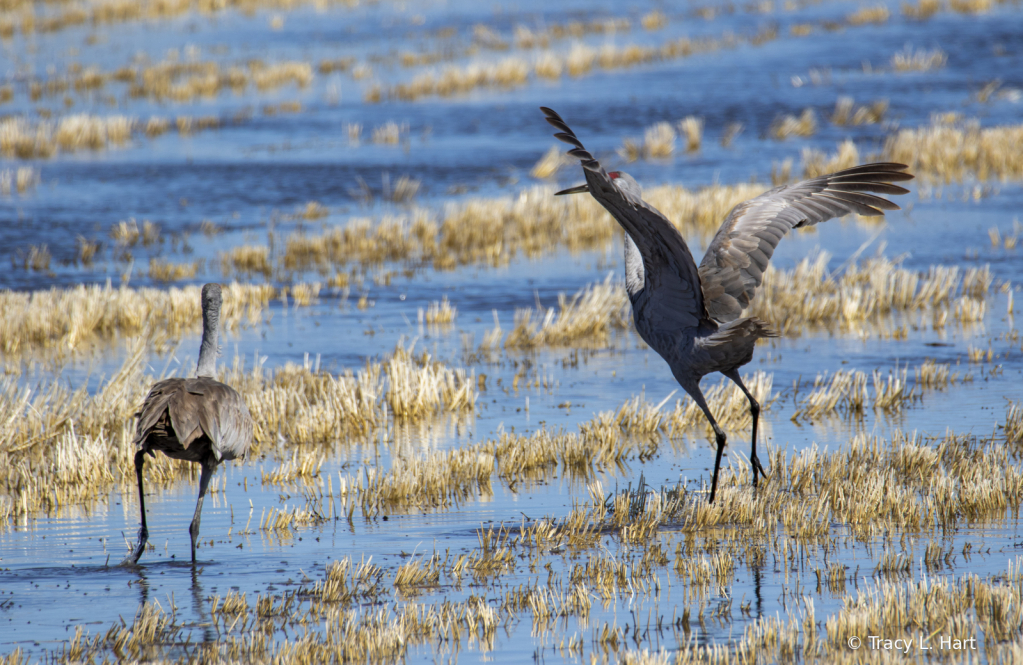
<point>65,447</point>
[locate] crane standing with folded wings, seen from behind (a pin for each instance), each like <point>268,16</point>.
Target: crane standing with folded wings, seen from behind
<point>197,420</point>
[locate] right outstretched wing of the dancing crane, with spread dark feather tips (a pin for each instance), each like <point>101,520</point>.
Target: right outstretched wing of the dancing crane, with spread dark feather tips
<point>736,260</point>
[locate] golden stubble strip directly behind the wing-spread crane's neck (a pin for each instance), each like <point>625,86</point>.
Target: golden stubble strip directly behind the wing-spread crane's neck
<point>493,232</point>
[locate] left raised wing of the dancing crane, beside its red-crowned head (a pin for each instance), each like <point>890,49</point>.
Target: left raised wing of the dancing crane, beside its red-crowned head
<point>673,294</point>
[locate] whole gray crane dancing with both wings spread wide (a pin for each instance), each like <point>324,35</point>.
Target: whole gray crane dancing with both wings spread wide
<point>693,317</point>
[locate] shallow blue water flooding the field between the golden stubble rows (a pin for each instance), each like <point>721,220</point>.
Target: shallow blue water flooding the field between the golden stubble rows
<point>55,572</point>
